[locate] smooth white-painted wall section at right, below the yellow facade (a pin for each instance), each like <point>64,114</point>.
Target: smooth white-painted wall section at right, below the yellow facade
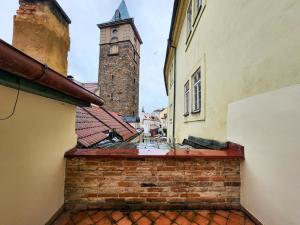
<point>268,125</point>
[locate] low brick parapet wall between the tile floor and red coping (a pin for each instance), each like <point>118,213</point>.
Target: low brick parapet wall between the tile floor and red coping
<point>122,183</point>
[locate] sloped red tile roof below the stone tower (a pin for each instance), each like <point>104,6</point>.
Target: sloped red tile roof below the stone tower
<point>93,124</point>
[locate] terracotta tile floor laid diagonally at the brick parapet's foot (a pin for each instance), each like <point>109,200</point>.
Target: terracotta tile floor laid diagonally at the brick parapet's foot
<point>149,217</point>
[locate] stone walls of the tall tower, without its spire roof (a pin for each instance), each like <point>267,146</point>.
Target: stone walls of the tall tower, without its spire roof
<point>119,72</point>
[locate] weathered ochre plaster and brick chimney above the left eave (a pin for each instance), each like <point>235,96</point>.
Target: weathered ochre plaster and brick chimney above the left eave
<point>41,30</point>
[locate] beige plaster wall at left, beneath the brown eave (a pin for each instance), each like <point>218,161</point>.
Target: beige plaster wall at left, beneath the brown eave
<point>32,147</point>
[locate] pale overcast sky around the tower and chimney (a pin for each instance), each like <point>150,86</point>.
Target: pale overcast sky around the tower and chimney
<point>152,18</point>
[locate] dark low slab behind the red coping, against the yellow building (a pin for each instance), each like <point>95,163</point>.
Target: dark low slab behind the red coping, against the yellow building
<point>200,143</point>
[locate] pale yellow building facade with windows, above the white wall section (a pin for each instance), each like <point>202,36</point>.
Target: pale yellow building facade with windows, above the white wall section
<point>235,49</point>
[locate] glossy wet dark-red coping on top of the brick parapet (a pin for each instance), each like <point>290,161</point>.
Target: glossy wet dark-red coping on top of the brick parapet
<point>233,151</point>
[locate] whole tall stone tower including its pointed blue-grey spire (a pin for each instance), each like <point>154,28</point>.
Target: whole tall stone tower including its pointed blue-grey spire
<point>119,64</point>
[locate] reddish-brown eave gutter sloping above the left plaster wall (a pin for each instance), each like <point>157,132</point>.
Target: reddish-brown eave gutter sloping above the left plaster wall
<point>17,63</point>
